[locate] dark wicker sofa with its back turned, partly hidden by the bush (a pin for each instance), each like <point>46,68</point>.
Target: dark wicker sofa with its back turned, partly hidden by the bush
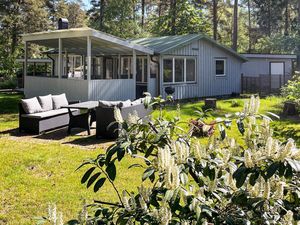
<point>105,117</point>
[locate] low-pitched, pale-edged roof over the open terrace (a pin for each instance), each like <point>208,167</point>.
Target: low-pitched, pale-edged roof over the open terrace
<point>78,35</point>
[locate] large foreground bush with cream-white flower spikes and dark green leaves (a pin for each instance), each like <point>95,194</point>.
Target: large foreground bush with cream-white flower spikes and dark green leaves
<point>219,182</point>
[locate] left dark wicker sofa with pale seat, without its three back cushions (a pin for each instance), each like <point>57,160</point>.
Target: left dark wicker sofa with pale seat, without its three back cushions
<point>46,120</point>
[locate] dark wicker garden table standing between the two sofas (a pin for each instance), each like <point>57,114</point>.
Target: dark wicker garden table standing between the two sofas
<point>81,120</point>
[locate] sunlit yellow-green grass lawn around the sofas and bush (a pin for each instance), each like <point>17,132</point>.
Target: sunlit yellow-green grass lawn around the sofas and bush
<point>35,172</point>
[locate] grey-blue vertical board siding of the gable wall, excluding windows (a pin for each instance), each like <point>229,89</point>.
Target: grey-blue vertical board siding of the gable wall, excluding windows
<point>207,83</point>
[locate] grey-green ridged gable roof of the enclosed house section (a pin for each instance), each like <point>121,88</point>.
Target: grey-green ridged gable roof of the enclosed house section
<point>166,43</point>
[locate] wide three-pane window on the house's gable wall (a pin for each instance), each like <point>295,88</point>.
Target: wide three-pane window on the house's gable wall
<point>179,69</point>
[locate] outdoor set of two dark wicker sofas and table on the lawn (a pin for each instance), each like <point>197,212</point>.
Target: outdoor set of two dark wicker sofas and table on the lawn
<point>44,113</point>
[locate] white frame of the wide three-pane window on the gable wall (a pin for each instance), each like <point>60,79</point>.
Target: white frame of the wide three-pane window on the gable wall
<point>184,73</point>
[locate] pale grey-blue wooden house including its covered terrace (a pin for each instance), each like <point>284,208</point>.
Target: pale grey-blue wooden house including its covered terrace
<point>90,65</point>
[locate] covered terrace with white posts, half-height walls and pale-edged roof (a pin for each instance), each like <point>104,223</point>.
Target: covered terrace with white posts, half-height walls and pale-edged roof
<point>90,65</point>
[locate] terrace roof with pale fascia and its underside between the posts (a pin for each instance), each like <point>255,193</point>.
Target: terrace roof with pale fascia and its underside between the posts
<point>75,40</point>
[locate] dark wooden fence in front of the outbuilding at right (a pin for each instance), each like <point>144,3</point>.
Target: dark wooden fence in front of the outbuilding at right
<point>264,84</point>
